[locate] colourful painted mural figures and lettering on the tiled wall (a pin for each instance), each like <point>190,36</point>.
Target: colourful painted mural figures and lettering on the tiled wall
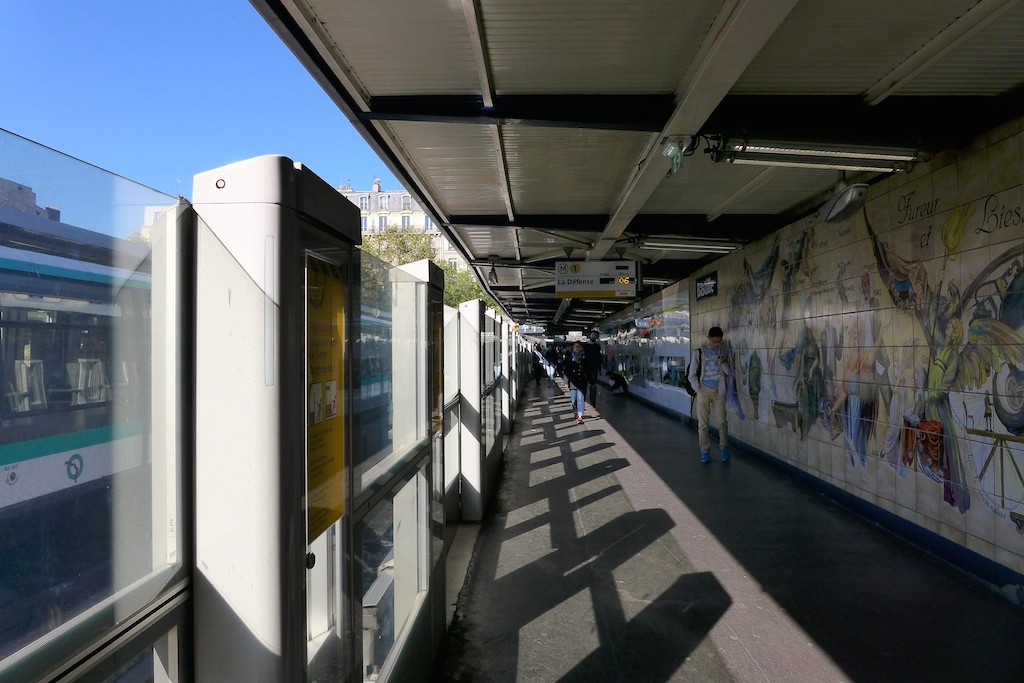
<point>897,336</point>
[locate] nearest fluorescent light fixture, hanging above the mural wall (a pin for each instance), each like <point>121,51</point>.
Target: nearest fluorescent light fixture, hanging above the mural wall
<point>806,155</point>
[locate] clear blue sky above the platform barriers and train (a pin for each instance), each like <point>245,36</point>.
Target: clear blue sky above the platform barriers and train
<point>159,91</point>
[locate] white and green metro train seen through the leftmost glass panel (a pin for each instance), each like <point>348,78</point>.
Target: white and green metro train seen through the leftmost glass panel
<point>74,402</point>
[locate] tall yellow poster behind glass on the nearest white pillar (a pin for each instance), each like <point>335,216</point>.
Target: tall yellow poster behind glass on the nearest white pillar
<point>325,374</point>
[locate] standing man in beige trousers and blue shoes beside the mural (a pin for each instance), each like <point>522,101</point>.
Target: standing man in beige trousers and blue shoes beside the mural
<point>710,366</point>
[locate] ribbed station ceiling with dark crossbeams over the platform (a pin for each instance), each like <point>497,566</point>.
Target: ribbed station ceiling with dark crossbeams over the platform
<point>536,132</point>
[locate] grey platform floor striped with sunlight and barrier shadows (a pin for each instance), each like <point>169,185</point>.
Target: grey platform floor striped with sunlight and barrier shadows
<point>613,554</point>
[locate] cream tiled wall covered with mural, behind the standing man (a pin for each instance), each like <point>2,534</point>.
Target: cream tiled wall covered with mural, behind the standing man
<point>885,355</point>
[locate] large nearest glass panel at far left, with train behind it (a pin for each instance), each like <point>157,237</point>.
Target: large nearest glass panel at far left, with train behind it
<point>91,510</point>
